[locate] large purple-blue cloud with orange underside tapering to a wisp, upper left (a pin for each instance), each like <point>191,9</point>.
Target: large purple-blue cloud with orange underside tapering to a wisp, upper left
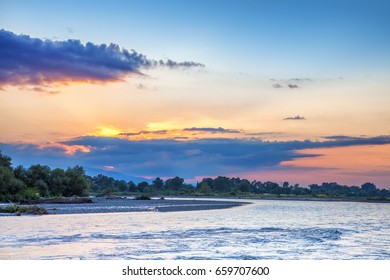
<point>32,61</point>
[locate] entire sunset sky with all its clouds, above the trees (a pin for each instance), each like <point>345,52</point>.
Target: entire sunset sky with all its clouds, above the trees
<point>280,90</point>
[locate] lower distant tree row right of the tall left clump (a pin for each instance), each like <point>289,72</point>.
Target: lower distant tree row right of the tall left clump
<point>104,185</point>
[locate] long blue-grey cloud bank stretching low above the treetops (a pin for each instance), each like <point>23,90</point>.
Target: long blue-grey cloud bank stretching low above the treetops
<point>206,157</point>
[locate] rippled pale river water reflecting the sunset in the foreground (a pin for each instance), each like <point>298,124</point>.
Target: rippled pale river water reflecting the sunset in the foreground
<point>261,230</point>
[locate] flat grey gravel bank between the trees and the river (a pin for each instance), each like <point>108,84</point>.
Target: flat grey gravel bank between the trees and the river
<point>113,204</point>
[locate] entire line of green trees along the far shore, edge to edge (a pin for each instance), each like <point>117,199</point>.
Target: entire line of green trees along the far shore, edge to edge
<point>19,183</point>
